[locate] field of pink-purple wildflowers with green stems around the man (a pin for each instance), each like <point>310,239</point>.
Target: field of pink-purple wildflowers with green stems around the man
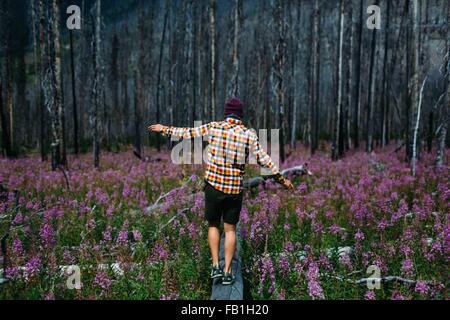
<point>313,243</point>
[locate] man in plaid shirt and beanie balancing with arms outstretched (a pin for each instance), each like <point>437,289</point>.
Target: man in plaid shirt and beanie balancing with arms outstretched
<point>230,143</point>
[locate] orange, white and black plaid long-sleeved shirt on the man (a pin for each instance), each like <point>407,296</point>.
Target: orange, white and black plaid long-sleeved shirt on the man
<point>230,144</point>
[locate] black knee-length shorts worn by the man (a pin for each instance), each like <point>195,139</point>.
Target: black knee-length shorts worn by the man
<point>219,204</point>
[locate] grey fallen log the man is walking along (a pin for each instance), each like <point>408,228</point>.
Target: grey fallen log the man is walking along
<point>236,290</point>
